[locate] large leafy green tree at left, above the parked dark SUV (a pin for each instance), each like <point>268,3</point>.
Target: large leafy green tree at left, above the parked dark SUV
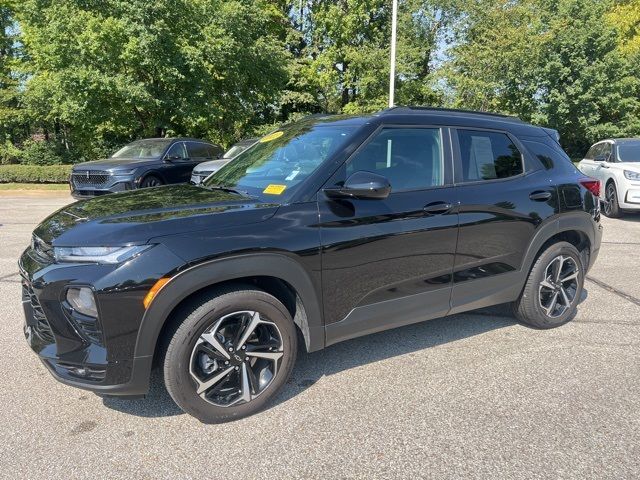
<point>103,72</point>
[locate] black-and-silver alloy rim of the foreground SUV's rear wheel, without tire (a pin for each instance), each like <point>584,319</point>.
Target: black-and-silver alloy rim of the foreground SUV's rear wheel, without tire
<point>558,290</point>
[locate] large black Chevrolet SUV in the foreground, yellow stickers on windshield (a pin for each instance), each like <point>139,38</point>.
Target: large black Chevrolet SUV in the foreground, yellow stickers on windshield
<point>325,230</point>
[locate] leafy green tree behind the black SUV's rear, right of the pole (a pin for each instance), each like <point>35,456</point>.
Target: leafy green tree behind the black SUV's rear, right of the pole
<point>553,62</point>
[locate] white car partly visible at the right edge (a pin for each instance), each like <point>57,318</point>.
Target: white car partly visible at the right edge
<point>616,163</point>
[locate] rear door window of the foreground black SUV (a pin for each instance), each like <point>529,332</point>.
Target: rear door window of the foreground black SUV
<point>488,156</point>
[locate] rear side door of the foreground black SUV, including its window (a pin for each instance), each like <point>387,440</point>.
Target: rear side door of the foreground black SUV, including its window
<point>501,203</point>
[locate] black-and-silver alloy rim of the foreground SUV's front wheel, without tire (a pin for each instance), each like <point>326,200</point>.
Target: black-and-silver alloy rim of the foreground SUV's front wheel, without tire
<point>236,359</point>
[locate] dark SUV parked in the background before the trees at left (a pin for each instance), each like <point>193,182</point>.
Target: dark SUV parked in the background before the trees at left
<point>144,163</point>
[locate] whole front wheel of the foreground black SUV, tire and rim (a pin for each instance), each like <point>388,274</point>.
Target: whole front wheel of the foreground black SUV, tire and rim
<point>230,355</point>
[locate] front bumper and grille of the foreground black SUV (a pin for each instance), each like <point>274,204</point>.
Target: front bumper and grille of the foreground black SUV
<point>97,355</point>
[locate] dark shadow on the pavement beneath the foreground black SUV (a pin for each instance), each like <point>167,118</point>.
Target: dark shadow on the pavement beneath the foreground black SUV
<point>311,367</point>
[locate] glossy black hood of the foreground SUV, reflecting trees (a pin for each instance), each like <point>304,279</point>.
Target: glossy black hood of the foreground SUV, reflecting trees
<point>139,215</point>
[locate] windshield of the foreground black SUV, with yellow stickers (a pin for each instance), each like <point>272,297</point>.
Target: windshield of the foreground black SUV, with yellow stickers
<point>279,162</point>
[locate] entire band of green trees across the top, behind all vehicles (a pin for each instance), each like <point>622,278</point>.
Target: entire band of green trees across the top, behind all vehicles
<point>79,78</point>
